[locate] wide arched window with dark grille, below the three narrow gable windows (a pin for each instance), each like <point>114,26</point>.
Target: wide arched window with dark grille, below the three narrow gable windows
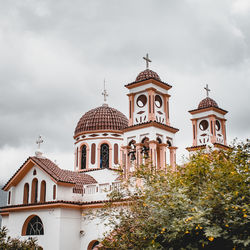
<point>33,226</point>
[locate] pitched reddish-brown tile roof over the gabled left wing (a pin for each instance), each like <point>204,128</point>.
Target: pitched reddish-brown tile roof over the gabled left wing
<point>60,175</point>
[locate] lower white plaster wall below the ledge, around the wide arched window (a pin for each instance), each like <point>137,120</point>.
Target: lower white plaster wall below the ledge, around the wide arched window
<point>62,228</point>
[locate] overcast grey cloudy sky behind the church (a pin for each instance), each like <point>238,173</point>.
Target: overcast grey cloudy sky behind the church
<point>54,56</point>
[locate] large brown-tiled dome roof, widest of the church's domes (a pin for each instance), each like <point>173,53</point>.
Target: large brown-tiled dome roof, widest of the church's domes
<point>102,118</point>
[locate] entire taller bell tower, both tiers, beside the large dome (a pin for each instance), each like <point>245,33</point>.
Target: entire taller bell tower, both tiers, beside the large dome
<point>149,134</point>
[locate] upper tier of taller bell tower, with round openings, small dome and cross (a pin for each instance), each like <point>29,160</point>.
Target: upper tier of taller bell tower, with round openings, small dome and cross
<point>148,98</point>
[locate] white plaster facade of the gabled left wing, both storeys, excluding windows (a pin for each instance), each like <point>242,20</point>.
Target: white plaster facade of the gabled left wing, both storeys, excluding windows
<point>65,227</point>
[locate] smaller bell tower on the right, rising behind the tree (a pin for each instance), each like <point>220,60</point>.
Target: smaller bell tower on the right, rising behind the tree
<point>209,125</point>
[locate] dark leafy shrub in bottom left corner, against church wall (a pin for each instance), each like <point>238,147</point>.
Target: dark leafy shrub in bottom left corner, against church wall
<point>8,243</point>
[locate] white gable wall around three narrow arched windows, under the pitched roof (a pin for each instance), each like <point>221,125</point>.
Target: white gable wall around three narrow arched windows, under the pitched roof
<point>17,192</point>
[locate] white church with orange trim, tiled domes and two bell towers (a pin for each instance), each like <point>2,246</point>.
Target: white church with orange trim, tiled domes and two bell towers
<point>50,203</point>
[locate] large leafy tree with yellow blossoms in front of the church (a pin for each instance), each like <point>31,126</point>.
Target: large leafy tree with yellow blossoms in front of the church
<point>203,205</point>
